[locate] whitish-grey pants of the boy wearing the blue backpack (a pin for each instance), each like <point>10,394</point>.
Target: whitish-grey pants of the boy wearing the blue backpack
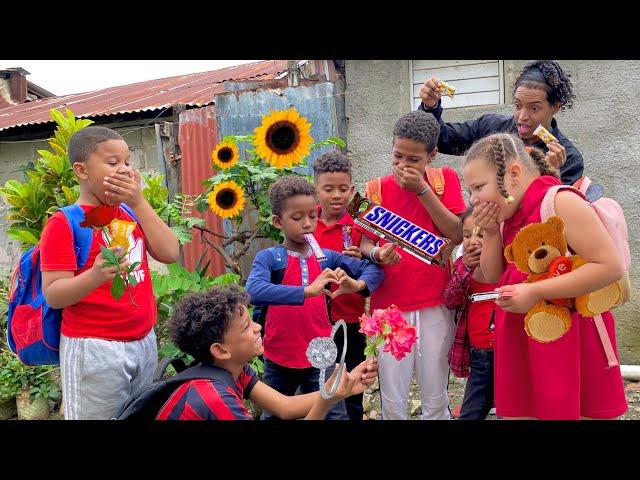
<point>99,375</point>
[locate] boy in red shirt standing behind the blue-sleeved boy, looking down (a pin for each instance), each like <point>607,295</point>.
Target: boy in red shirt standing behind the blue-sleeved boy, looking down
<point>332,179</point>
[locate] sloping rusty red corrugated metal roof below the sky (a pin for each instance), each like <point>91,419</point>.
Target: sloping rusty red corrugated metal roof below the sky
<point>195,89</point>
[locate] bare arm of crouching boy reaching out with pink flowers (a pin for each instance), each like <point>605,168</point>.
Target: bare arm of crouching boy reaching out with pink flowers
<point>311,405</point>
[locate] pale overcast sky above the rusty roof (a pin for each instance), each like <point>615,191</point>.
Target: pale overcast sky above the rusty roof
<point>63,77</point>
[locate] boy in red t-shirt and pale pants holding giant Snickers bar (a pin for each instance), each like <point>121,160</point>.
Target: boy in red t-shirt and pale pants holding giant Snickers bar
<point>412,285</point>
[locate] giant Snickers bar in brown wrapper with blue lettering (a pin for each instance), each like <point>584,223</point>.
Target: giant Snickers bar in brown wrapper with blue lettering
<point>412,238</point>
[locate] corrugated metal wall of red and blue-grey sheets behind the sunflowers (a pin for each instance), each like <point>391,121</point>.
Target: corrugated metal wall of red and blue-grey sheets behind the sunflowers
<point>239,112</point>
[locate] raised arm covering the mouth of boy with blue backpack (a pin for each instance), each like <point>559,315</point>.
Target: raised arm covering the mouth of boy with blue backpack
<point>161,242</point>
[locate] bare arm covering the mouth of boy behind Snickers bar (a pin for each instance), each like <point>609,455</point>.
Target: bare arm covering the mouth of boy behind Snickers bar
<point>445,220</point>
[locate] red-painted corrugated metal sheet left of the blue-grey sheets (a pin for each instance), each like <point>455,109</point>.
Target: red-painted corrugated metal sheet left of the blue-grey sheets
<point>197,138</point>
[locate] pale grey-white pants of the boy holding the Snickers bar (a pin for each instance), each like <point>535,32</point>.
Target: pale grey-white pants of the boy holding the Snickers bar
<point>435,328</point>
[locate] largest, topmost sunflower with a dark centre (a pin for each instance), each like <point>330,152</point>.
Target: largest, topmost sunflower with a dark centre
<point>283,138</point>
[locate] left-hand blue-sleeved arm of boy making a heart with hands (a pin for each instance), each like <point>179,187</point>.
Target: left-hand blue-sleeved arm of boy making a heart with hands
<point>263,292</point>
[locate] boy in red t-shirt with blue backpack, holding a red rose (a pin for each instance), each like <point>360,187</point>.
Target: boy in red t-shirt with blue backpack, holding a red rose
<point>107,347</point>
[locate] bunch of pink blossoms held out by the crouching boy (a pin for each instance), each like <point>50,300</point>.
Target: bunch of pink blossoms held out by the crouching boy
<point>388,326</point>
